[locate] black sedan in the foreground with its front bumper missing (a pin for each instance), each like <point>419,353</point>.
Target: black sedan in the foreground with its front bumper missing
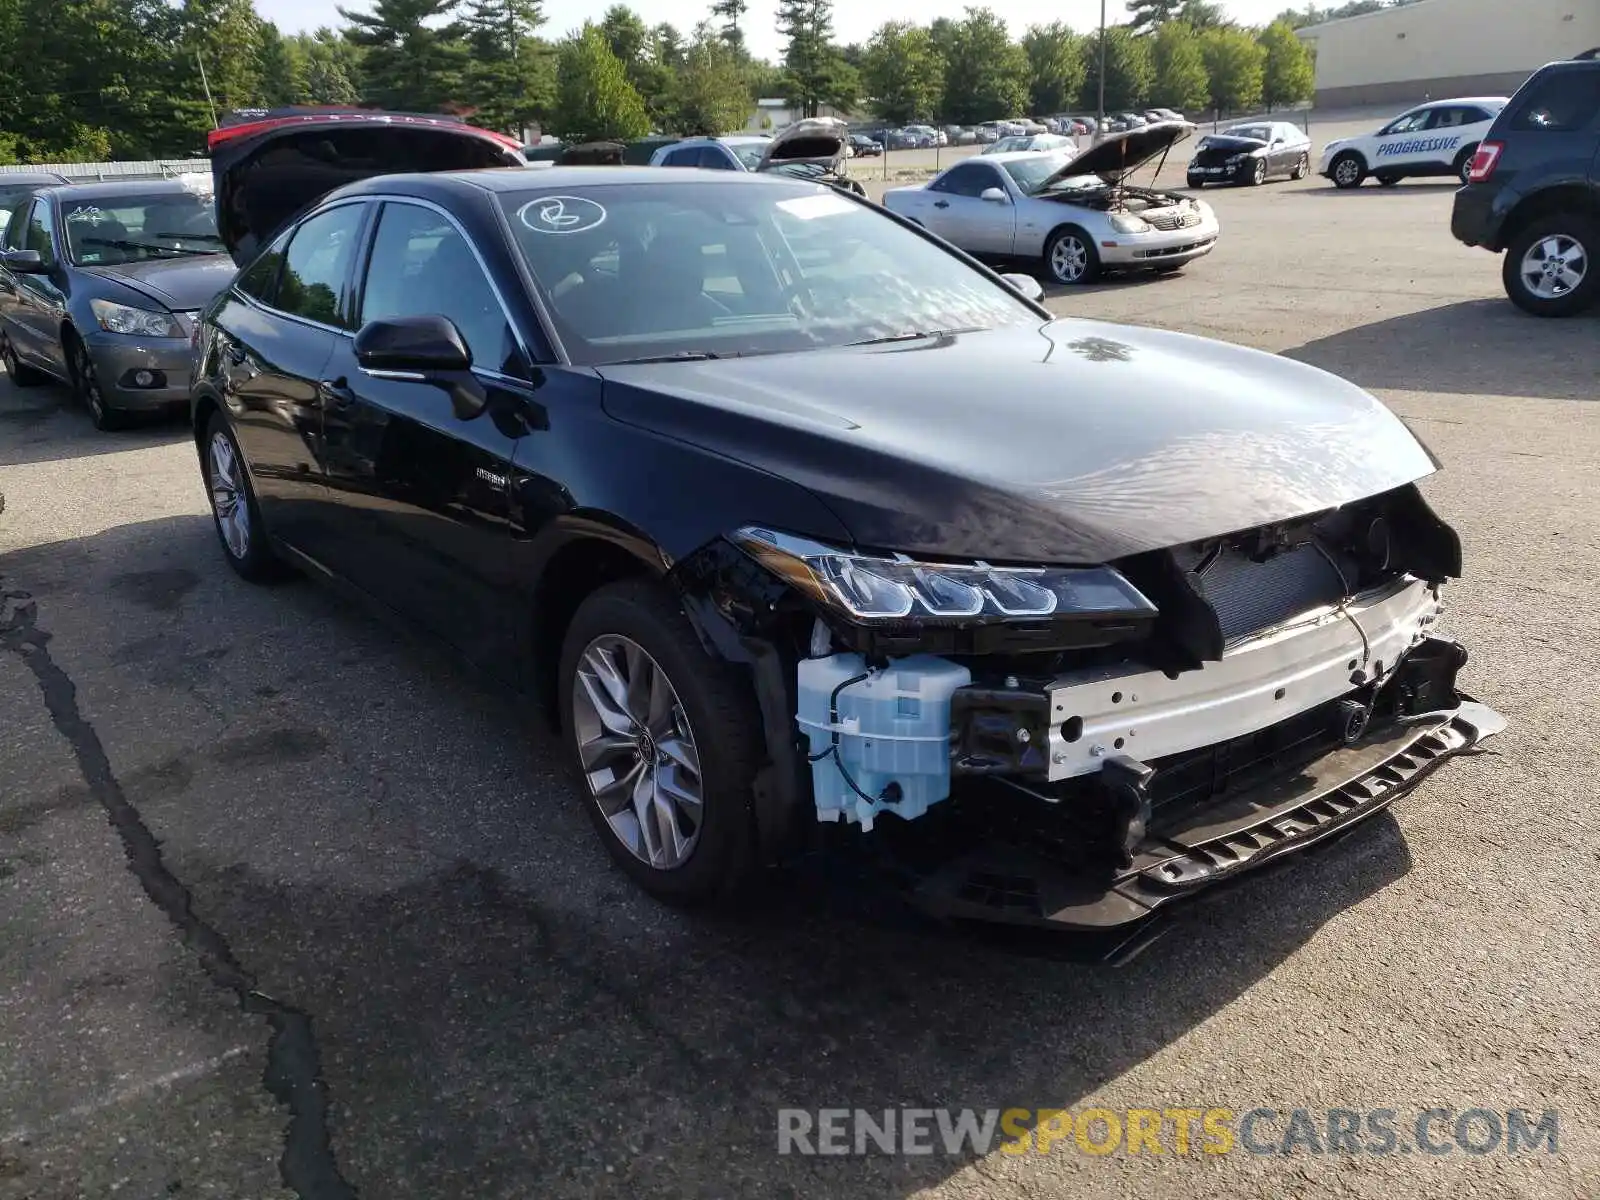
<point>807,529</point>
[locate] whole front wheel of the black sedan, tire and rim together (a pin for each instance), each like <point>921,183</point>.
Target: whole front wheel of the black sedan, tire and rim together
<point>665,743</point>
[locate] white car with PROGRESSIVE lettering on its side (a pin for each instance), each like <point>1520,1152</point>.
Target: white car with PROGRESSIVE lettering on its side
<point>1433,140</point>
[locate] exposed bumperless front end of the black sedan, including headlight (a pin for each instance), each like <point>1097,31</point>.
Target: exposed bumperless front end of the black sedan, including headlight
<point>1076,746</point>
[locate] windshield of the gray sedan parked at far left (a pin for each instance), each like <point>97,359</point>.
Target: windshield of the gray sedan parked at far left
<point>106,231</point>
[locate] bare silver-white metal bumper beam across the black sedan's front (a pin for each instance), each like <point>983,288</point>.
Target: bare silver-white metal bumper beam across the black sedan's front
<point>1260,681</point>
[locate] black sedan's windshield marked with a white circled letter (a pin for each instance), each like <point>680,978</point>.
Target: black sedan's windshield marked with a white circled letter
<point>644,271</point>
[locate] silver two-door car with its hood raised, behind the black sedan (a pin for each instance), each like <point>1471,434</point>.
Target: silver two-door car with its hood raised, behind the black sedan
<point>1076,215</point>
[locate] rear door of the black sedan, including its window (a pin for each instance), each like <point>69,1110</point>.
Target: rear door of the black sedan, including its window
<point>274,332</point>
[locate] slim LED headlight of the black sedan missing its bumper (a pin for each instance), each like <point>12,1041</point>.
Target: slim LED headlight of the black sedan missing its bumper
<point>866,588</point>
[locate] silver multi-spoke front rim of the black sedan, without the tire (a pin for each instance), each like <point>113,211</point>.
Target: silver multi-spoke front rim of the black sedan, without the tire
<point>638,753</point>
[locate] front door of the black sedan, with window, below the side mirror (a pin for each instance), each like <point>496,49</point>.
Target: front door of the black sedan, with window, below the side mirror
<point>420,495</point>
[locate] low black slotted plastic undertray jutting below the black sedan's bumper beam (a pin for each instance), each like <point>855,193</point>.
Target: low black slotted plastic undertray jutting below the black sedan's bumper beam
<point>1022,881</point>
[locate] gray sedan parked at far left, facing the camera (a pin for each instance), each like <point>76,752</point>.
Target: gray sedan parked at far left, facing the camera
<point>100,286</point>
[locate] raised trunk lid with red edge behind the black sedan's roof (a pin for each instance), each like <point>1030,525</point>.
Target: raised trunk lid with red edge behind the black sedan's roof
<point>268,166</point>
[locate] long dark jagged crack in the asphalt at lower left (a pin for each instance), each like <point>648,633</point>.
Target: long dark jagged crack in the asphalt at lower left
<point>294,1074</point>
